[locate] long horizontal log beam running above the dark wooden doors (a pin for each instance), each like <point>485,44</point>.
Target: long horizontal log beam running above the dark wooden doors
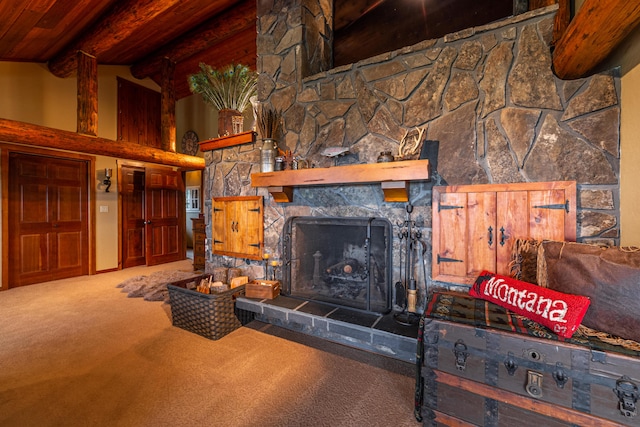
<point>41,136</point>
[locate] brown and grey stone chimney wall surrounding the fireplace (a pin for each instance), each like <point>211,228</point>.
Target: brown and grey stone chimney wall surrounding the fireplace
<point>487,94</point>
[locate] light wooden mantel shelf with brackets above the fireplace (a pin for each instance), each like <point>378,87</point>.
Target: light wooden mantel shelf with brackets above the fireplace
<point>393,177</point>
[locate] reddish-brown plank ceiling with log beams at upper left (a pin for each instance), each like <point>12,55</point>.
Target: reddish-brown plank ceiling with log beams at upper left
<point>136,33</point>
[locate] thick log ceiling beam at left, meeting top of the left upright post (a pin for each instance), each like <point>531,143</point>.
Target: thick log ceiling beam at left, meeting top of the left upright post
<point>123,20</point>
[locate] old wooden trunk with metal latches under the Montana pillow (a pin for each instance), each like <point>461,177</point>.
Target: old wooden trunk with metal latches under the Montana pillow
<point>476,375</point>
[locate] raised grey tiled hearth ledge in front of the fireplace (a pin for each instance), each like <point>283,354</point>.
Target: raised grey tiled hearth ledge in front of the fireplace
<point>380,334</point>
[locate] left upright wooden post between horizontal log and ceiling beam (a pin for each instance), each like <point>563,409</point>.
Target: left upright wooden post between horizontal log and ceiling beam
<point>87,94</point>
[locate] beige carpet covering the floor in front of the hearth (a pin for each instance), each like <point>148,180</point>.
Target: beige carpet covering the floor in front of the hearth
<point>78,352</point>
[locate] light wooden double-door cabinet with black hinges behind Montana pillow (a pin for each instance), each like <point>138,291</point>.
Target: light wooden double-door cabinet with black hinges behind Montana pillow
<point>475,226</point>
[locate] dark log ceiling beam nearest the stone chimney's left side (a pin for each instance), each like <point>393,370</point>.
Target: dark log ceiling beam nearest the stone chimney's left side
<point>211,33</point>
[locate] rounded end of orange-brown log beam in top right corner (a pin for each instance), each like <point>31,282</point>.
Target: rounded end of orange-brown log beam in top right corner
<point>595,31</point>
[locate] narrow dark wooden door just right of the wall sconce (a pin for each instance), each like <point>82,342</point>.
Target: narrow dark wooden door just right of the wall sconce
<point>133,216</point>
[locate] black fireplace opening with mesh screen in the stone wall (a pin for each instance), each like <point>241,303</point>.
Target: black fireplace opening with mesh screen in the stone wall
<point>340,261</point>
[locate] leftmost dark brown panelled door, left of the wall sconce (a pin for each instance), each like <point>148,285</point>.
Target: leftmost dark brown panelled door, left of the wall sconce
<point>48,218</point>
